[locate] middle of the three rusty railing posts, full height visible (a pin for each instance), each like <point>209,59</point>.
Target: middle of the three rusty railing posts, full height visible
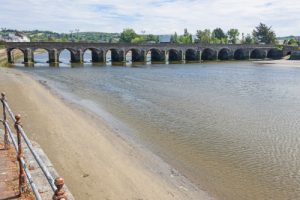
<point>22,177</point>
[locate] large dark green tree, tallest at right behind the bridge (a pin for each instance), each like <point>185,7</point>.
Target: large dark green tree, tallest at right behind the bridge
<point>264,34</point>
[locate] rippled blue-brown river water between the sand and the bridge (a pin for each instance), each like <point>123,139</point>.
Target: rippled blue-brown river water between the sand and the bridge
<point>232,128</point>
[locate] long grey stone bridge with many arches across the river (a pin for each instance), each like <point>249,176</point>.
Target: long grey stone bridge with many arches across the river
<point>139,52</point>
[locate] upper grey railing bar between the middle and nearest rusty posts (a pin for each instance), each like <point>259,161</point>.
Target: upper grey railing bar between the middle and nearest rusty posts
<point>38,160</point>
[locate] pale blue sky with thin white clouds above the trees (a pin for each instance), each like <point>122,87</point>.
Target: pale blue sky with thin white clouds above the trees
<point>151,16</point>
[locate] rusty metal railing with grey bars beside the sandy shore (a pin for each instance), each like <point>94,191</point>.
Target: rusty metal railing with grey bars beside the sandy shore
<point>55,184</point>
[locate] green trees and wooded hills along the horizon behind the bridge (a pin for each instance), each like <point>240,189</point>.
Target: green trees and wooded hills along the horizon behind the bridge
<point>260,34</point>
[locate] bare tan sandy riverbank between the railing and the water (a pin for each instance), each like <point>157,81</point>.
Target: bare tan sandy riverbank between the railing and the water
<point>94,160</point>
